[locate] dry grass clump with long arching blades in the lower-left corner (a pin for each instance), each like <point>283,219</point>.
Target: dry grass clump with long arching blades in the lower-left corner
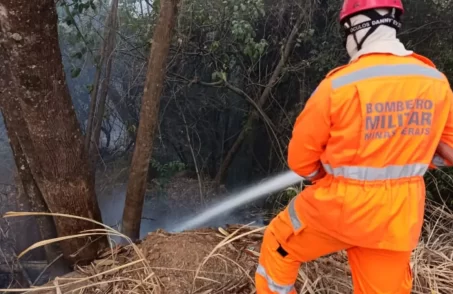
<point>110,273</point>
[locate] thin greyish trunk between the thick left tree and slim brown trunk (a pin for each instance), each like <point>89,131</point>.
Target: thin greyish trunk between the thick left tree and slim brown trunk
<point>108,49</point>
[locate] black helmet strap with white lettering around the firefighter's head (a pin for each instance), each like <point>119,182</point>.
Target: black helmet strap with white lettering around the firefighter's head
<point>376,19</point>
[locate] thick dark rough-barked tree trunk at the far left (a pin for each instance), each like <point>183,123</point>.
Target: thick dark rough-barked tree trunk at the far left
<point>38,94</point>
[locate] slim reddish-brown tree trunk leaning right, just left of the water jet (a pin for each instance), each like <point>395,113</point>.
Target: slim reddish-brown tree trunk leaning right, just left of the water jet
<point>148,117</point>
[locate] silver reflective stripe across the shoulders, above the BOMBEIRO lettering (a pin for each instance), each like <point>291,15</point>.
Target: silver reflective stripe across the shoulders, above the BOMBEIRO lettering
<point>386,71</point>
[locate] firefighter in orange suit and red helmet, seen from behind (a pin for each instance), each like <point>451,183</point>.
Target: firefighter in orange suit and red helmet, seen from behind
<point>365,138</point>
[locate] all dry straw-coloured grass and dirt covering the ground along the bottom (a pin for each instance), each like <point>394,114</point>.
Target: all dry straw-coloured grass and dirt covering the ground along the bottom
<point>225,259</point>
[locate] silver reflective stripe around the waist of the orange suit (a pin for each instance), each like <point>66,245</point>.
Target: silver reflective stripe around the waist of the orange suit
<point>391,172</point>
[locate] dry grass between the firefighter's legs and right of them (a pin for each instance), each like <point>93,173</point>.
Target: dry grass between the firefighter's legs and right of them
<point>432,261</point>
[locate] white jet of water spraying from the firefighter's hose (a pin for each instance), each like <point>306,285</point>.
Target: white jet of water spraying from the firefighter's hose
<point>256,191</point>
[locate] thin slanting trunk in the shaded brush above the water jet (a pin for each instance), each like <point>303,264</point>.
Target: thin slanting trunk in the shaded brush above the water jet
<point>253,116</point>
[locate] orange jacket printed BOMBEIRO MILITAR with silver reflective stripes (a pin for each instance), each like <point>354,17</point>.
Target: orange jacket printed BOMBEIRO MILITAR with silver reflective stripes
<point>373,126</point>
